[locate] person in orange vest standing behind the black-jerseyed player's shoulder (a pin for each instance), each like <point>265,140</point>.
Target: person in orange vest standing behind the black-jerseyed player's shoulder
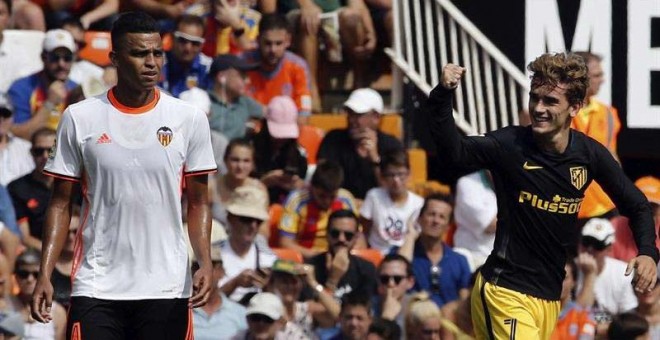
<point>600,122</point>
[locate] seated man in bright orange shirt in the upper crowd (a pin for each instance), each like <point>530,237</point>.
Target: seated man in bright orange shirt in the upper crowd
<point>281,73</point>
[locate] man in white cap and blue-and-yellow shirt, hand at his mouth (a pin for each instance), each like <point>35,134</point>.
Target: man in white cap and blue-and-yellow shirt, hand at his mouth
<point>39,99</point>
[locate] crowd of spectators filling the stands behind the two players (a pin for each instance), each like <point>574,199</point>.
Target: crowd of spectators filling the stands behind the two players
<point>253,67</point>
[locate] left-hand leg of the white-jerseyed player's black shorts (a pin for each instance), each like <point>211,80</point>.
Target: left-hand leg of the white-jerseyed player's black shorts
<point>95,319</point>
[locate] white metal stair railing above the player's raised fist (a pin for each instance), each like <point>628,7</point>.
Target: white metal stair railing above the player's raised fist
<point>430,33</point>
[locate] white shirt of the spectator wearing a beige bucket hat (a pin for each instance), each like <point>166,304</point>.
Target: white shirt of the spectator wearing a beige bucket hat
<point>235,264</point>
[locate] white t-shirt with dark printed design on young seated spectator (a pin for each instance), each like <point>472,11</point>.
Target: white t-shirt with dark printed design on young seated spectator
<point>389,219</point>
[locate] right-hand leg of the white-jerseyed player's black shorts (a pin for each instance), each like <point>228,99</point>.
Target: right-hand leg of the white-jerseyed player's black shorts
<point>161,319</point>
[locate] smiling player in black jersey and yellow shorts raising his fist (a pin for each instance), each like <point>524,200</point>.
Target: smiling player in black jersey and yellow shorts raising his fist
<point>540,174</point>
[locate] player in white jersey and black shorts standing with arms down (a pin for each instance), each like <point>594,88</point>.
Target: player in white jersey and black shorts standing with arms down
<point>132,149</point>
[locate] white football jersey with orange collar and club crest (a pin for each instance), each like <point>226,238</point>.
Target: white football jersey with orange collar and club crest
<point>131,163</point>
